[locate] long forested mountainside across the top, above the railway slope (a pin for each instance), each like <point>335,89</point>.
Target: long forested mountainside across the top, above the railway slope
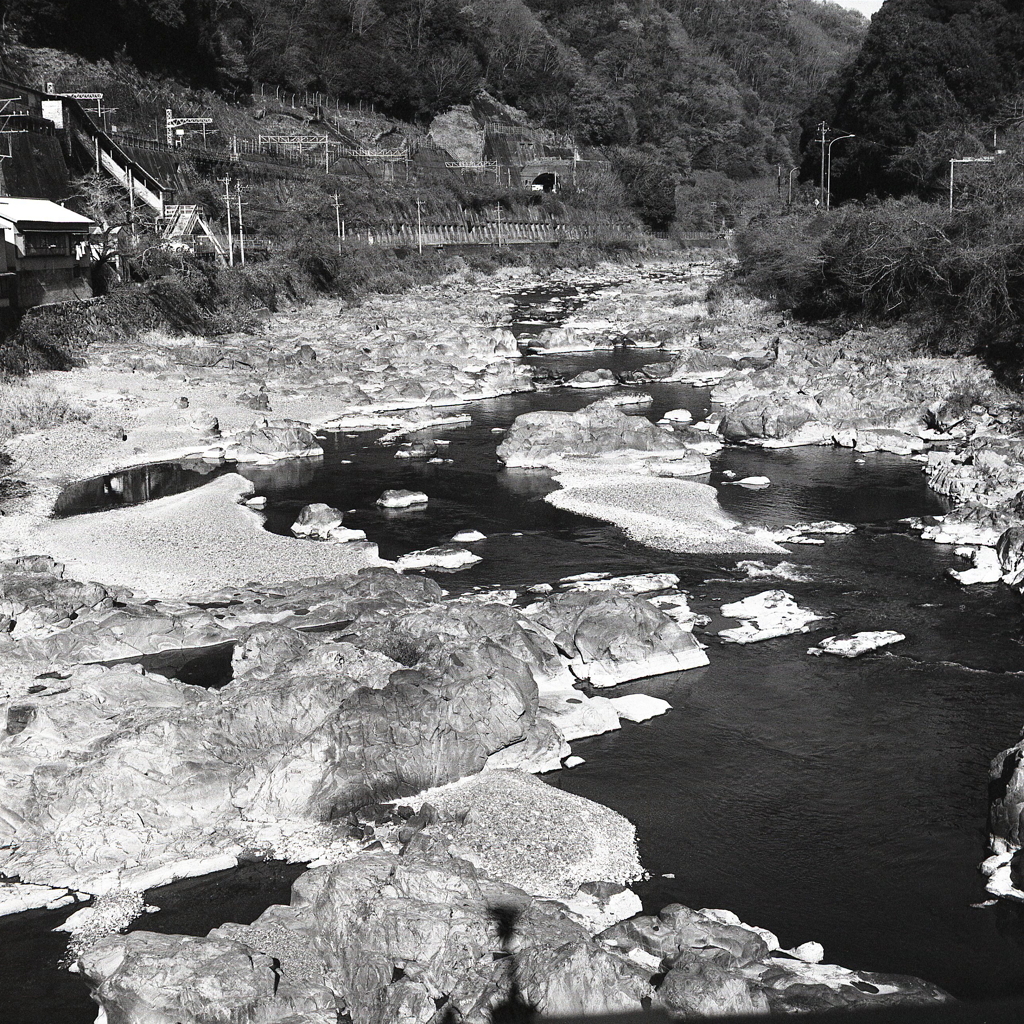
<point>691,86</point>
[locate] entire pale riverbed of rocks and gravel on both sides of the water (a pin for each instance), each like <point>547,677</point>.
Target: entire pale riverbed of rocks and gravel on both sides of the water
<point>353,689</point>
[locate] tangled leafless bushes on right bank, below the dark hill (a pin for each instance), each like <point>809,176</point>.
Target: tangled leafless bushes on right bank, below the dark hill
<point>955,280</point>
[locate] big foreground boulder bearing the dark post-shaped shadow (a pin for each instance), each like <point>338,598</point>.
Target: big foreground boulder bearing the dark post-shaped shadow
<point>381,938</point>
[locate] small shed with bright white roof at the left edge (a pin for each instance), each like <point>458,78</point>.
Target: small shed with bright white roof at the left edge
<point>45,253</point>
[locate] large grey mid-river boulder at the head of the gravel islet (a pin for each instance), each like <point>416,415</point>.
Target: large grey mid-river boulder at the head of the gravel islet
<point>544,439</point>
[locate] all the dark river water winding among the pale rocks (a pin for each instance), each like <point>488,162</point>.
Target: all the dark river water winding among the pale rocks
<point>824,799</point>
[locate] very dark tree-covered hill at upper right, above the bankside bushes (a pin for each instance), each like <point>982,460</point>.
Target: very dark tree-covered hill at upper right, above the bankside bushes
<point>934,79</point>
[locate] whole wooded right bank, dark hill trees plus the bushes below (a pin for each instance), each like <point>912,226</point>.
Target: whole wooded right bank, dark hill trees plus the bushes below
<point>936,80</point>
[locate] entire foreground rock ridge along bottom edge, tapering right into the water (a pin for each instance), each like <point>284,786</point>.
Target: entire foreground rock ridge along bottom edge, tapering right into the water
<point>424,936</point>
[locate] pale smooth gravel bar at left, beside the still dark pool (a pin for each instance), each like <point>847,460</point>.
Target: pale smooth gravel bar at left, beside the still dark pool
<point>188,544</point>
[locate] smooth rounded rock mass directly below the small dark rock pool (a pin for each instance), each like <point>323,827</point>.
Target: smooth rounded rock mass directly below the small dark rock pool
<point>125,759</point>
